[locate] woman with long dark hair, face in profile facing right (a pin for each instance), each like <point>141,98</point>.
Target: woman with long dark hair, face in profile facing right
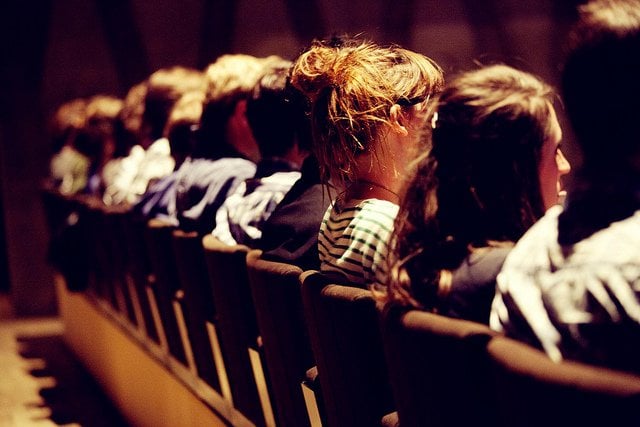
<point>493,170</point>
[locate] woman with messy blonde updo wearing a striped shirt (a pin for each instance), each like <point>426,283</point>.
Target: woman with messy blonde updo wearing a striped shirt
<point>368,103</point>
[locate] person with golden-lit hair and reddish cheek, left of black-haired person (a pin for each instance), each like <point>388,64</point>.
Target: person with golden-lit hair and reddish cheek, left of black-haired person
<point>223,152</point>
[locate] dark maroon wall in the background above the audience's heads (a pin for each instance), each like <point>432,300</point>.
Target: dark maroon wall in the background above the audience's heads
<point>57,50</point>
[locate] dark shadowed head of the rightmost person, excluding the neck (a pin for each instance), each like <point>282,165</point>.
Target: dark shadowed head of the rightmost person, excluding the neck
<point>600,82</point>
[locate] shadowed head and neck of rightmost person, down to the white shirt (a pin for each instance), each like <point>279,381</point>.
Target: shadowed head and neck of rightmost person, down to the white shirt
<point>601,88</point>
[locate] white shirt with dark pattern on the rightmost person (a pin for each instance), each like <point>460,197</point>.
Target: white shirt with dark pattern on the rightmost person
<point>580,302</point>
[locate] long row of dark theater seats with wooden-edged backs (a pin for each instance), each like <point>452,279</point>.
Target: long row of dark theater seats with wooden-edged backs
<point>291,348</point>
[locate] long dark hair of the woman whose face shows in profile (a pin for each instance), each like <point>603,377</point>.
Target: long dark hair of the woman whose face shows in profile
<point>480,182</point>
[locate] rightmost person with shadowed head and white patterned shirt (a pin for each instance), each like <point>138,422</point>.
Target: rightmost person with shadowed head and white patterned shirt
<point>571,284</point>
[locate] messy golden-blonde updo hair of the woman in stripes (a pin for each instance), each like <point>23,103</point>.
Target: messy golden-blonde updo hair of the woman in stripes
<point>352,86</point>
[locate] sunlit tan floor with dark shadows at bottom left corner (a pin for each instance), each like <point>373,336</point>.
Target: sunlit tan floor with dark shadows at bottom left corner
<point>41,383</point>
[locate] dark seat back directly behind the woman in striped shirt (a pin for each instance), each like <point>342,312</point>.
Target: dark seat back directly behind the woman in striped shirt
<point>345,337</point>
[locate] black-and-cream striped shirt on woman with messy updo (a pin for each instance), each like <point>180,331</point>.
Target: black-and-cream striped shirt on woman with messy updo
<point>353,240</point>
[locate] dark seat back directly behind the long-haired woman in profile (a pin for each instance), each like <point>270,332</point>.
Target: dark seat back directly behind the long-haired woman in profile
<point>438,368</point>
